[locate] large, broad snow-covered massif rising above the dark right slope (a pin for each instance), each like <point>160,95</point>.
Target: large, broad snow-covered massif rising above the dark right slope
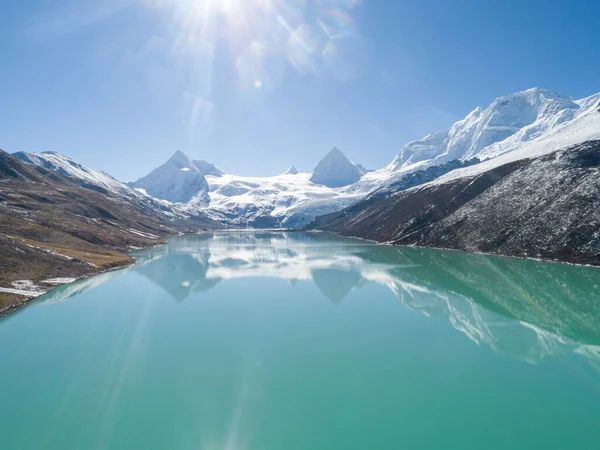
<point>503,127</point>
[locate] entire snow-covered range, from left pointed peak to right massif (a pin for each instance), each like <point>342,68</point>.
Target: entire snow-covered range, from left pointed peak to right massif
<point>517,126</point>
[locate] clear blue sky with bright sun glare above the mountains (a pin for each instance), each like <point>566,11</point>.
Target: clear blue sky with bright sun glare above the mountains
<point>257,85</point>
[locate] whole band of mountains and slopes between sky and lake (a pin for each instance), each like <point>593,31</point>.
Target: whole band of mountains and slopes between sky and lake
<point>519,178</point>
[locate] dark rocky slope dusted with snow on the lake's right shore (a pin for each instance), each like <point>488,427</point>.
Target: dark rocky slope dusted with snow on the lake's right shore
<point>545,207</point>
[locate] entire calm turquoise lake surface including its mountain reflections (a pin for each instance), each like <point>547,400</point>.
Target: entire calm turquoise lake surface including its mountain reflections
<point>274,341</point>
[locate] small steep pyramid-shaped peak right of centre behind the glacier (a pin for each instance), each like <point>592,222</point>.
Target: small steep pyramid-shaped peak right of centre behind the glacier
<point>335,170</point>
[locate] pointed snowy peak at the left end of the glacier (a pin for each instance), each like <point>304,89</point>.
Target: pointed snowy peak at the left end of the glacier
<point>179,180</point>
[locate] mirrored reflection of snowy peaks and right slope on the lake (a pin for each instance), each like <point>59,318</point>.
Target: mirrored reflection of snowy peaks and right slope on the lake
<point>525,309</point>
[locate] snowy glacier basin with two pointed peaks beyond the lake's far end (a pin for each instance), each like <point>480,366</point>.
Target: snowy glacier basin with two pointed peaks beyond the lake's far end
<point>289,200</point>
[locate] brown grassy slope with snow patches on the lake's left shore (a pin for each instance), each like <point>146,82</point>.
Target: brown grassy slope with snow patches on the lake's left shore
<point>55,226</point>
